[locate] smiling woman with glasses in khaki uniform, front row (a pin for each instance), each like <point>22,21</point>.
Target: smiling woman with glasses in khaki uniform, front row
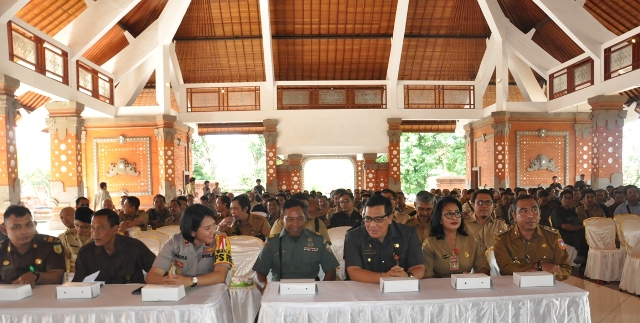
<point>450,249</point>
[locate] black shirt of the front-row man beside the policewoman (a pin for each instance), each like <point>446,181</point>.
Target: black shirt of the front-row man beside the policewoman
<point>124,266</point>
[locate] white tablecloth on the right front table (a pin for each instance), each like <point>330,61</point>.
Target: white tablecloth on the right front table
<point>436,302</point>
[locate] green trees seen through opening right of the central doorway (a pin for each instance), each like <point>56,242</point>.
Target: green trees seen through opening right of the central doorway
<point>424,155</point>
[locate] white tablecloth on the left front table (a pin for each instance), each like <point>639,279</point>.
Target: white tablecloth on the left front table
<point>116,304</point>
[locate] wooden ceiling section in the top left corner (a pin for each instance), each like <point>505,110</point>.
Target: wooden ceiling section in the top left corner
<point>50,16</point>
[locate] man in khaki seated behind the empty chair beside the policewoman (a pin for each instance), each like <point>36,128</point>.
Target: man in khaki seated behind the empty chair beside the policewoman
<point>242,222</point>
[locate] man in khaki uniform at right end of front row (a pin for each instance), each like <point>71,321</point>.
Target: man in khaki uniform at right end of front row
<point>530,247</point>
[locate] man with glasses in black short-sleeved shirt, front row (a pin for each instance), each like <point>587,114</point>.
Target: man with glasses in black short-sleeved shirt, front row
<point>382,247</point>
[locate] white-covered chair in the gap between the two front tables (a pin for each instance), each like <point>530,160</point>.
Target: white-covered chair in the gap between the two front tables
<point>245,297</point>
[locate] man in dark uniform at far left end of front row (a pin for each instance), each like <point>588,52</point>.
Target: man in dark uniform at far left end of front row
<point>27,257</point>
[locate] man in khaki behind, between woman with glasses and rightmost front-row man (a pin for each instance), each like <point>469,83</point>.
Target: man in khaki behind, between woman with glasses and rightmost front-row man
<point>485,226</point>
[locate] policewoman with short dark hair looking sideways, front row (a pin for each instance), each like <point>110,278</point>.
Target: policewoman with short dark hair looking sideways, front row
<point>196,255</point>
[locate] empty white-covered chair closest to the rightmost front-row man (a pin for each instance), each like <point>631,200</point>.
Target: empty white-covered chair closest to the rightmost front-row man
<point>605,261</point>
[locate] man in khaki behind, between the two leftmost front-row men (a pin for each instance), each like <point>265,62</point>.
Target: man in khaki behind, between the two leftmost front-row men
<point>72,241</point>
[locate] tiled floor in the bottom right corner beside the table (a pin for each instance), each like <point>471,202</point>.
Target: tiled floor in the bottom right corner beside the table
<point>608,305</point>
